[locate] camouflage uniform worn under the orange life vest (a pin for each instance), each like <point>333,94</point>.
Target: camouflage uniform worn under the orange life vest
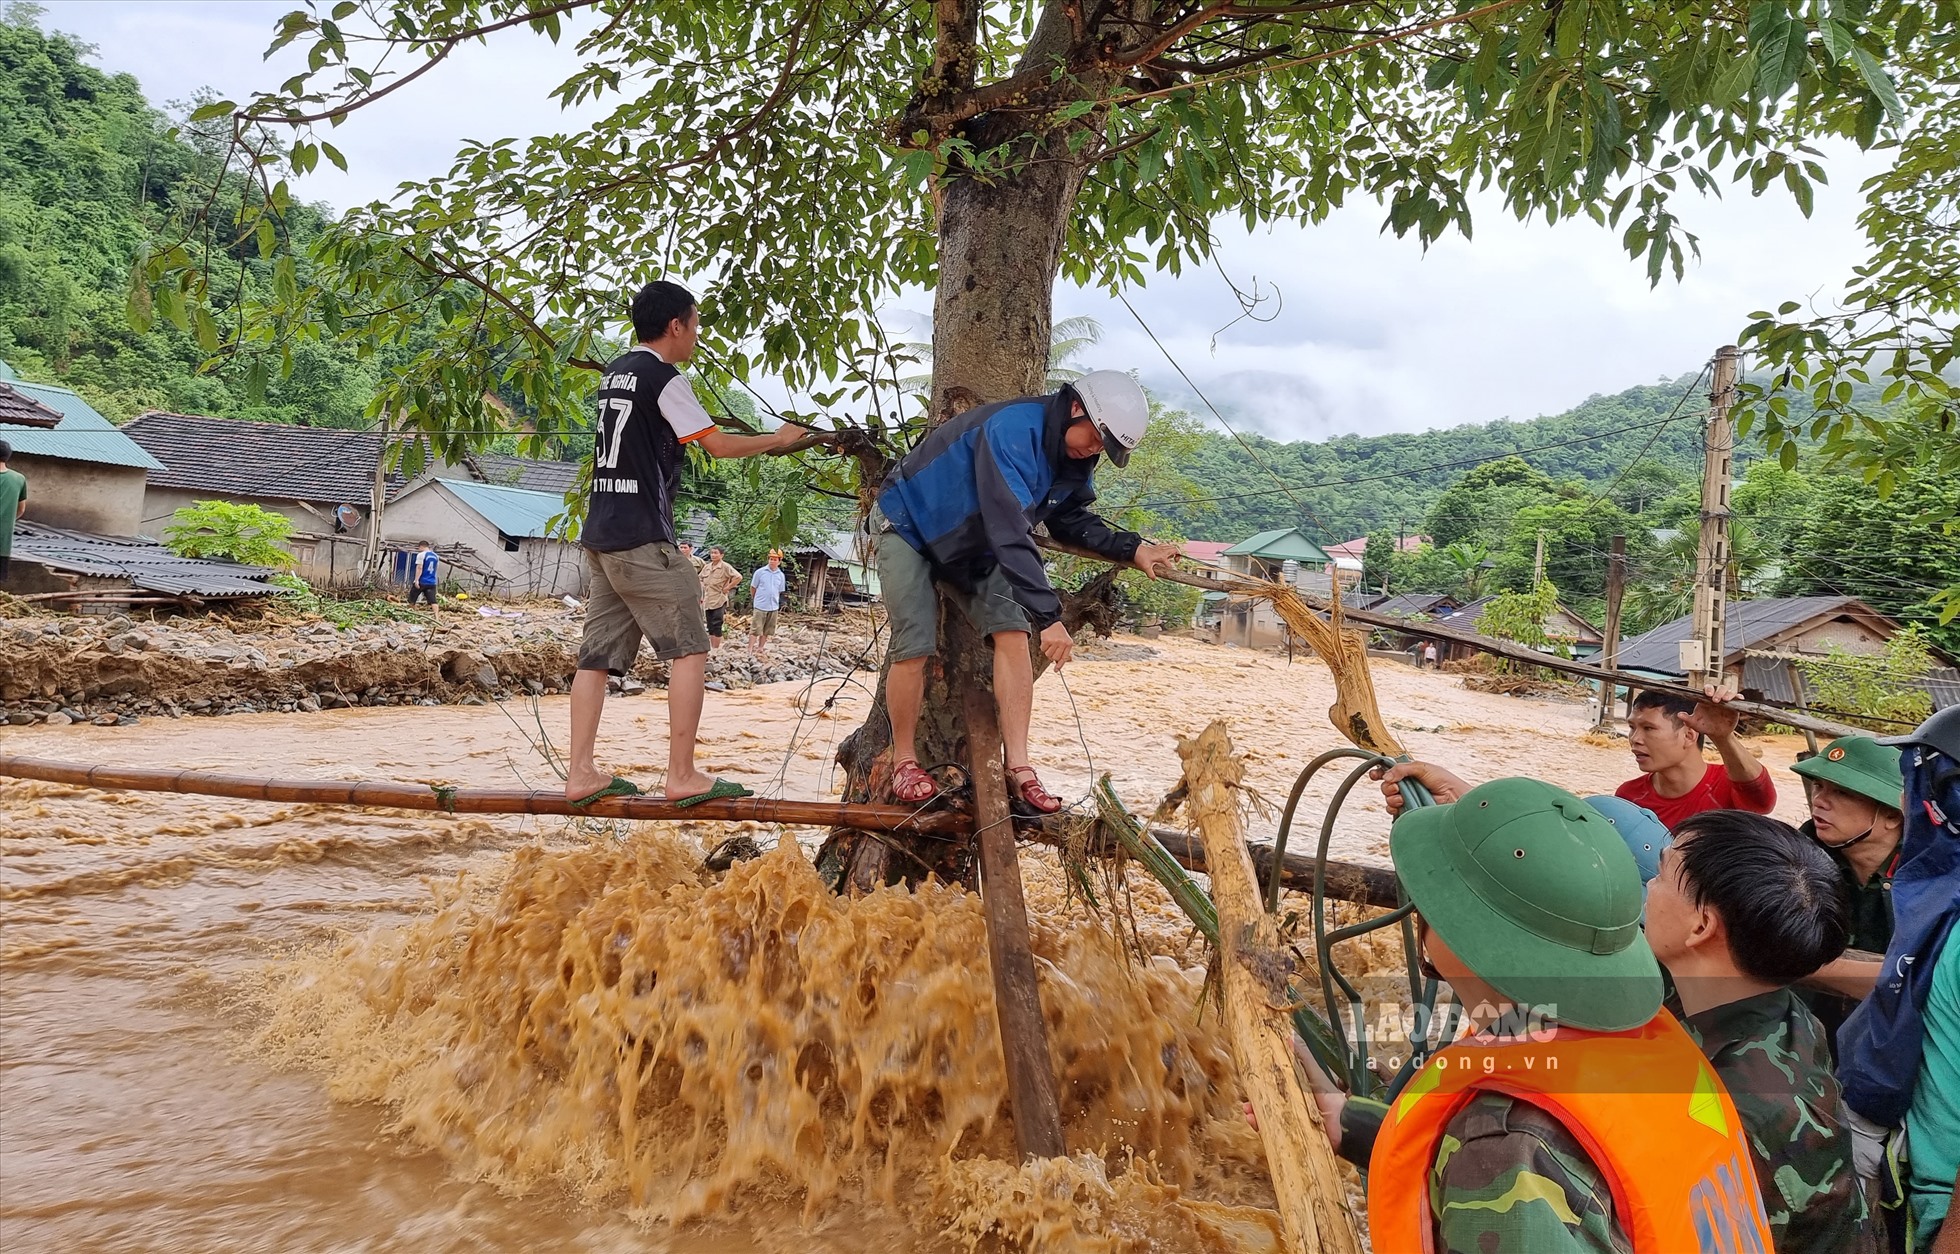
<point>1508,1181</point>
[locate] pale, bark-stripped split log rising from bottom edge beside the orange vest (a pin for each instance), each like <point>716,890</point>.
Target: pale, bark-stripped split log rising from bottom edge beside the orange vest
<point>1253,973</point>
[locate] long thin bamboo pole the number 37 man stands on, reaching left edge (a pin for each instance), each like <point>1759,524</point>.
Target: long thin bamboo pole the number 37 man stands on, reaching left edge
<point>483,800</point>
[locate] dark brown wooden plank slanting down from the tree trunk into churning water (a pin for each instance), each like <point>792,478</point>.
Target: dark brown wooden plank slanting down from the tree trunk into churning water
<point>1024,1034</point>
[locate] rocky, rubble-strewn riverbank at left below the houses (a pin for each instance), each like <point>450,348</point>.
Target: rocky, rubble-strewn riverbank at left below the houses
<point>73,669</point>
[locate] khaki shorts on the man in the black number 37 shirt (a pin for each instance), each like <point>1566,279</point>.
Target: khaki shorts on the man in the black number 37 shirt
<point>642,593</point>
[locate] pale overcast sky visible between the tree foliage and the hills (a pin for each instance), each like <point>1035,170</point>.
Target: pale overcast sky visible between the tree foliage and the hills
<point>1371,334</point>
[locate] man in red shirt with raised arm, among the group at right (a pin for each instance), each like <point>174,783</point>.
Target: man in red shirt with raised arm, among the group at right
<point>1667,744</point>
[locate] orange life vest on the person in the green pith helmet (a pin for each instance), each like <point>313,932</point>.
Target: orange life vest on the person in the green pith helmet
<point>1645,1106</point>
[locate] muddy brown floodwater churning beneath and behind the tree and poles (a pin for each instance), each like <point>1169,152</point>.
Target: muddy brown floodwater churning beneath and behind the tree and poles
<point>234,1026</point>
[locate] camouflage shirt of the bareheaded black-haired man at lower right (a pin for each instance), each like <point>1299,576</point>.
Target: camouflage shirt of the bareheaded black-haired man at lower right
<point>1773,1059</point>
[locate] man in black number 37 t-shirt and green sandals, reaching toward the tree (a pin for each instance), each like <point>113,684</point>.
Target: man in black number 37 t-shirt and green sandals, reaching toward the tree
<point>640,585</point>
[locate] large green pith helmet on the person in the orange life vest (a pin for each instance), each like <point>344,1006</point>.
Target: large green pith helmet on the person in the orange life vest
<point>1540,896</point>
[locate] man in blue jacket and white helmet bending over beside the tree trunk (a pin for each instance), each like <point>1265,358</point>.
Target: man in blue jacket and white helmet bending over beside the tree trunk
<point>961,508</point>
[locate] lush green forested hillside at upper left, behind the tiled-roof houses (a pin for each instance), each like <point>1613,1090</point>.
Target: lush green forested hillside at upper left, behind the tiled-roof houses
<point>89,171</point>
